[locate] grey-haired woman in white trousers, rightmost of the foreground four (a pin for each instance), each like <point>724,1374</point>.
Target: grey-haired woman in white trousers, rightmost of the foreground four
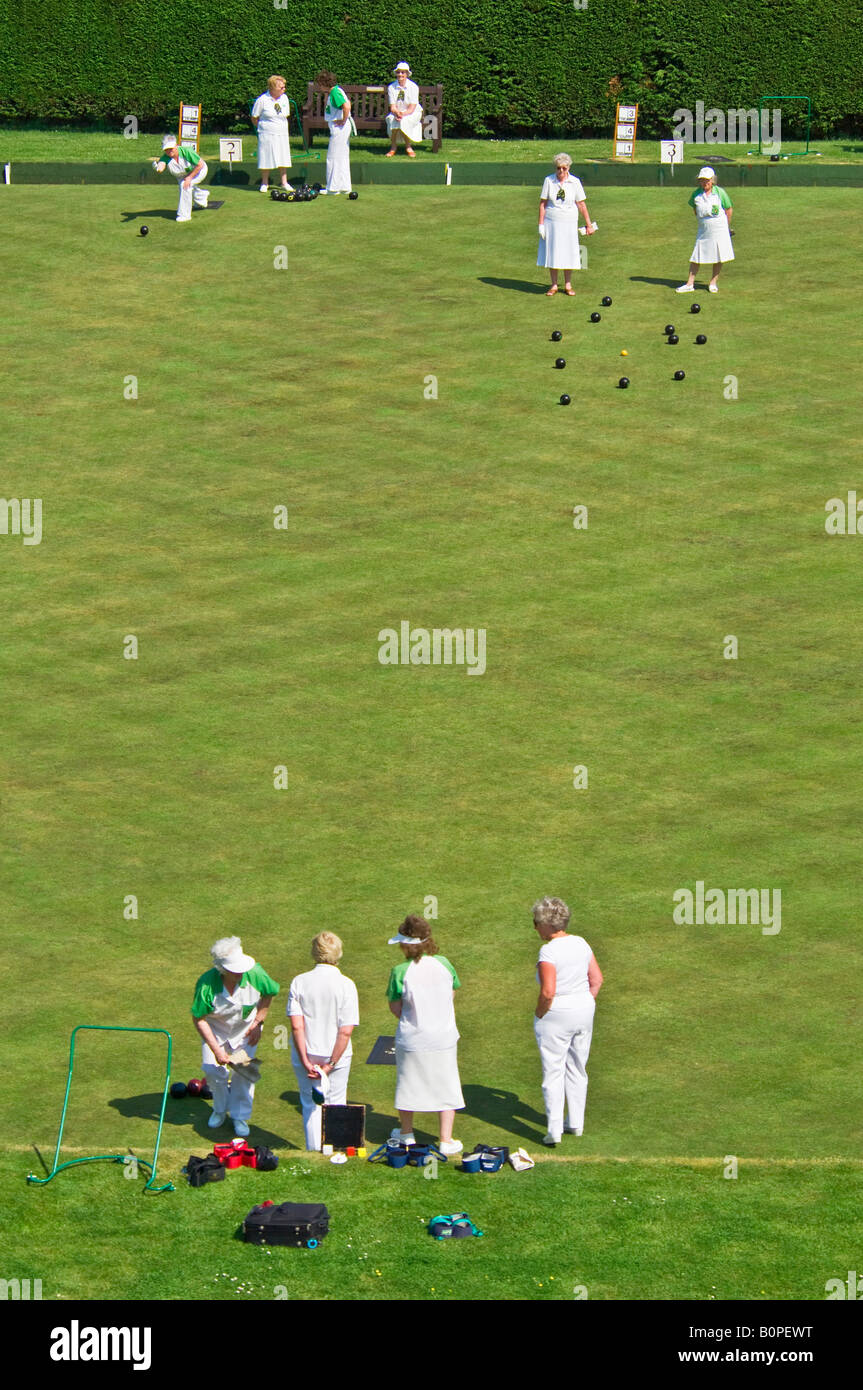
<point>564,1025</point>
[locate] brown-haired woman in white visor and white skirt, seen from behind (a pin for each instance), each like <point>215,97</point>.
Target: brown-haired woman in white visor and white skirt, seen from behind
<point>420,995</point>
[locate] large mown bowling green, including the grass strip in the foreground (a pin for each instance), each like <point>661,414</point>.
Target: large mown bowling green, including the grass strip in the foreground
<point>258,648</point>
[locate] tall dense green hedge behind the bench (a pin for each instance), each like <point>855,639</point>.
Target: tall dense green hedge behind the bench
<point>509,67</point>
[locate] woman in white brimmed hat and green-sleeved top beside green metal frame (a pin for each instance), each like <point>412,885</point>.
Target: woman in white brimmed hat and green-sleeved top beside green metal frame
<point>230,1007</point>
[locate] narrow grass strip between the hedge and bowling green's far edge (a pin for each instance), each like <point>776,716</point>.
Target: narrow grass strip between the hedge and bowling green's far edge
<point>112,148</point>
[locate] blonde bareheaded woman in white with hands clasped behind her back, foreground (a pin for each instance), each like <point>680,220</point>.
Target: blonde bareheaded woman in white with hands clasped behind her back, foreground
<point>324,1010</point>
